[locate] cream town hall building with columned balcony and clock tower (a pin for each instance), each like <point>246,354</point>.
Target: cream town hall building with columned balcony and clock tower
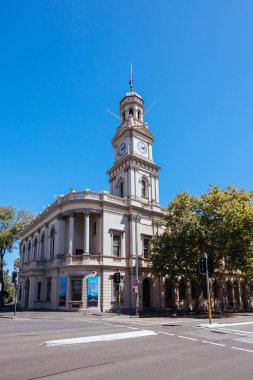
<point>70,252</point>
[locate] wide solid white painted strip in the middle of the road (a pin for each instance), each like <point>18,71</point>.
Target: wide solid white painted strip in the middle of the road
<point>99,338</point>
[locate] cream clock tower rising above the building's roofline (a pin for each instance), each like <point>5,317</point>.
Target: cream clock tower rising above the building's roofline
<point>134,174</point>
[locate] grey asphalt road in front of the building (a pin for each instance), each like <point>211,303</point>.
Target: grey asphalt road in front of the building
<point>180,348</point>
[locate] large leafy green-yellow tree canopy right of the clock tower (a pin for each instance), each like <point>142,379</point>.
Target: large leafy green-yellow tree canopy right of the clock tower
<point>220,223</point>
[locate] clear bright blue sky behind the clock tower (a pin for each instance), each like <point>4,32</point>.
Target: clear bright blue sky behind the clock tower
<point>63,62</point>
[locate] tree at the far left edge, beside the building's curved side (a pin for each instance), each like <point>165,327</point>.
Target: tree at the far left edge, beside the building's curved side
<point>12,223</point>
